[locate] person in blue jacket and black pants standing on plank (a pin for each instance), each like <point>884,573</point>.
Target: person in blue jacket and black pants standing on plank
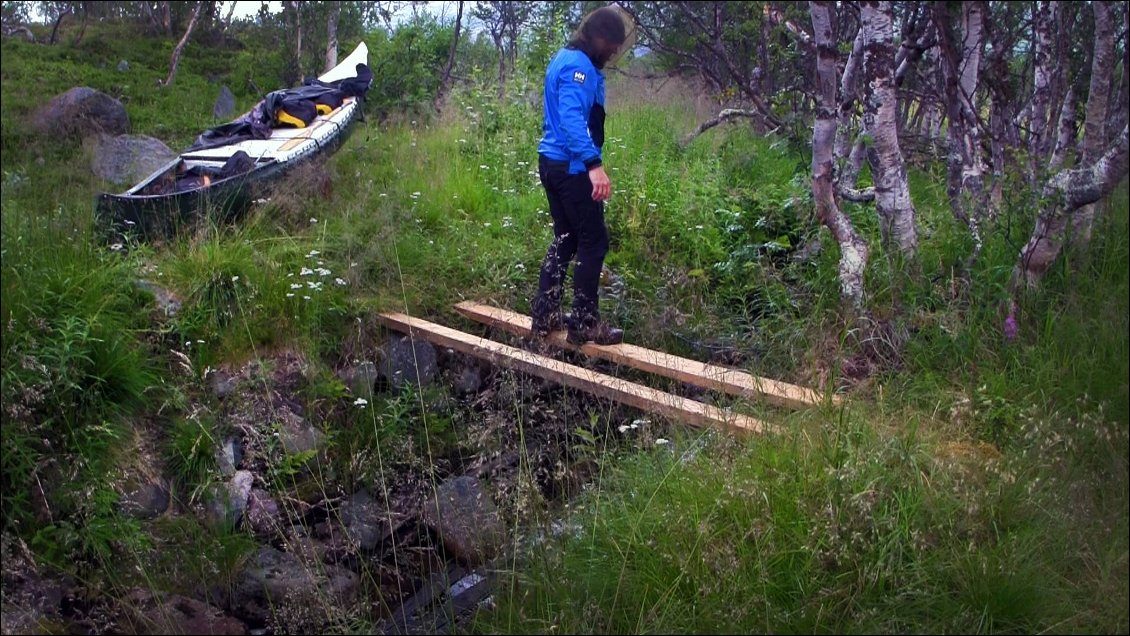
<point>572,172</point>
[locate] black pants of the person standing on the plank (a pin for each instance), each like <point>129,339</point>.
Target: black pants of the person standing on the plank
<point>579,231</point>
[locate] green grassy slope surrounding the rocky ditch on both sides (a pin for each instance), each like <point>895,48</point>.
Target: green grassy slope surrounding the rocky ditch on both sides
<point>983,487</point>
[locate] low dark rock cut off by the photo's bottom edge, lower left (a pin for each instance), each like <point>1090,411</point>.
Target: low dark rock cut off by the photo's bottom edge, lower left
<point>146,612</point>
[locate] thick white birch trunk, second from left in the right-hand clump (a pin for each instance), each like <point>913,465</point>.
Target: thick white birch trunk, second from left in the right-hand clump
<point>892,193</point>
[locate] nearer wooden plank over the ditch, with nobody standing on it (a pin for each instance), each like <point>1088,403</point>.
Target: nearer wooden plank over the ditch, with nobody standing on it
<point>640,397</point>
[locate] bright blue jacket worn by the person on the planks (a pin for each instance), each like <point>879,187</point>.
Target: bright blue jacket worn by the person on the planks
<point>575,111</point>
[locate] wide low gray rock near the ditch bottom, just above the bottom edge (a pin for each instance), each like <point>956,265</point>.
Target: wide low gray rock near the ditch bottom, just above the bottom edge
<point>274,580</point>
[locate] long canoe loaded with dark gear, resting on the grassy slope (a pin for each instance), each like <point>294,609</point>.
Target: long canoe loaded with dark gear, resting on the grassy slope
<point>230,168</point>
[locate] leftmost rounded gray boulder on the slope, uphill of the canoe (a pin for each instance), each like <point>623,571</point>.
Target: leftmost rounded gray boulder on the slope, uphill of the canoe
<point>80,114</point>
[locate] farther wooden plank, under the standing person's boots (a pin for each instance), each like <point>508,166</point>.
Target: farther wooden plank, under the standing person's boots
<point>684,370</point>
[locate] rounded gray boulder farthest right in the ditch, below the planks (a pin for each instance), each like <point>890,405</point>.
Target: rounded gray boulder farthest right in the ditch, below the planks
<point>466,519</point>
